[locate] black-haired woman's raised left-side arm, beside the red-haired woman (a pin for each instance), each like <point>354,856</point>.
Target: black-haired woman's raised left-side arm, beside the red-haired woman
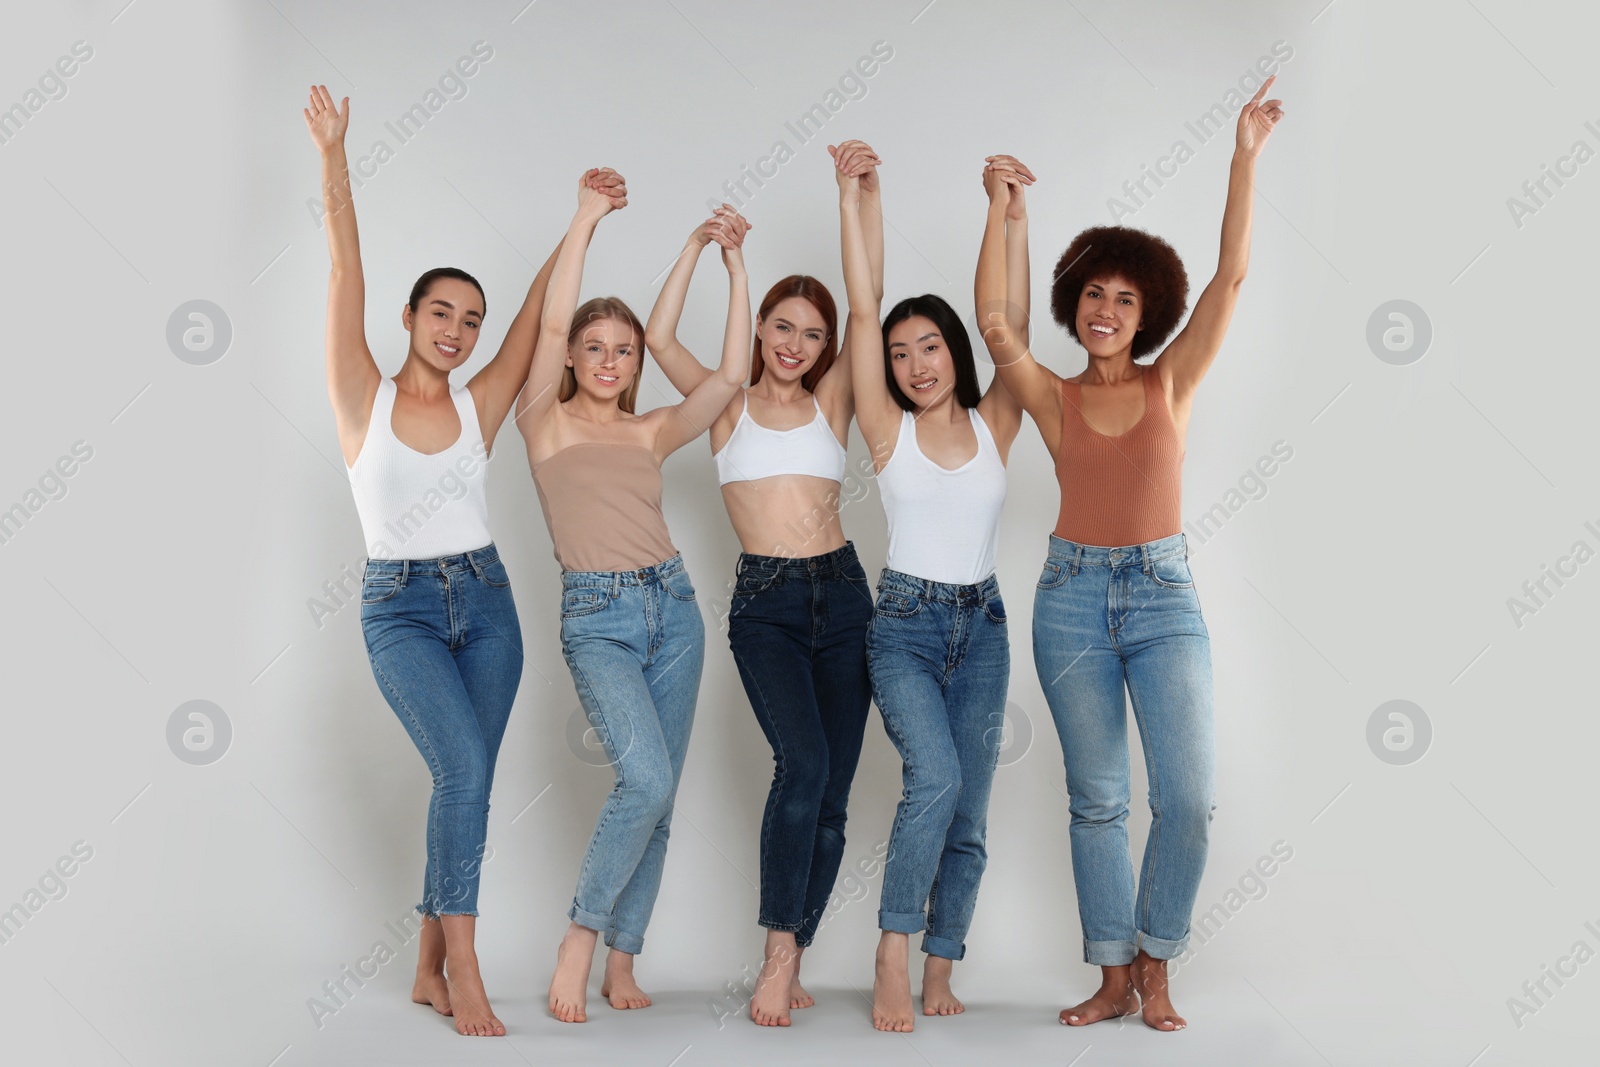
<point>878,415</point>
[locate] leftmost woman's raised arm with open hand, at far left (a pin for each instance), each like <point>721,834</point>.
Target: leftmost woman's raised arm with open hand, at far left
<point>353,375</point>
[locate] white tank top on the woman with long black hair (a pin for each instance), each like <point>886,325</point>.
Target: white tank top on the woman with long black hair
<point>945,526</point>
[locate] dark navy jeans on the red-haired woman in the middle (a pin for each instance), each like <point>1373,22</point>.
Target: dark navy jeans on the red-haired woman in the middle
<point>799,634</point>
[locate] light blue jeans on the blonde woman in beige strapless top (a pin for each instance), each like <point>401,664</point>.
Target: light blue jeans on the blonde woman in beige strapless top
<point>634,642</point>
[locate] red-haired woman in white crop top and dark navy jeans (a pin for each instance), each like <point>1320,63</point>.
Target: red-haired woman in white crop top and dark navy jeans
<point>801,602</point>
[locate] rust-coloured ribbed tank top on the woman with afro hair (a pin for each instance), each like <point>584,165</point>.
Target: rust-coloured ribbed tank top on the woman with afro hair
<point>1119,490</point>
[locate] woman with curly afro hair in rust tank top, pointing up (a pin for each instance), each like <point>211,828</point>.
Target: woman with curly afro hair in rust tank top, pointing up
<point>1116,617</point>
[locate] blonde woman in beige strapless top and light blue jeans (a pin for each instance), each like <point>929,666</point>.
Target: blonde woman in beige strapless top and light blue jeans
<point>631,631</point>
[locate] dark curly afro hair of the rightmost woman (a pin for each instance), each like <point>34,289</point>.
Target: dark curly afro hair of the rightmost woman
<point>1145,260</point>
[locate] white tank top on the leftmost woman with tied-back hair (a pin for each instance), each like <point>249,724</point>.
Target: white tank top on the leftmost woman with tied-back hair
<point>417,506</point>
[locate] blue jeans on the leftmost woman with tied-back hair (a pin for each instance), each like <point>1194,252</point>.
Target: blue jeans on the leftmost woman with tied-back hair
<point>446,649</point>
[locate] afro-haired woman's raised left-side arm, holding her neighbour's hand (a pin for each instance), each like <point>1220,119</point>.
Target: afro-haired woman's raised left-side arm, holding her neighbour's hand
<point>1002,300</point>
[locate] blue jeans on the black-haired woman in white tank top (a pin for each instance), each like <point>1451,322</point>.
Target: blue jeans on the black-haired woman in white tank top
<point>942,661</point>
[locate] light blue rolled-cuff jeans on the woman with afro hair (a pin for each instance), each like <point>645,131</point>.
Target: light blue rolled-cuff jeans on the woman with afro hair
<point>1110,620</point>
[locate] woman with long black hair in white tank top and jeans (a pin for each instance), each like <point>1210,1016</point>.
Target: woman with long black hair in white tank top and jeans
<point>937,649</point>
